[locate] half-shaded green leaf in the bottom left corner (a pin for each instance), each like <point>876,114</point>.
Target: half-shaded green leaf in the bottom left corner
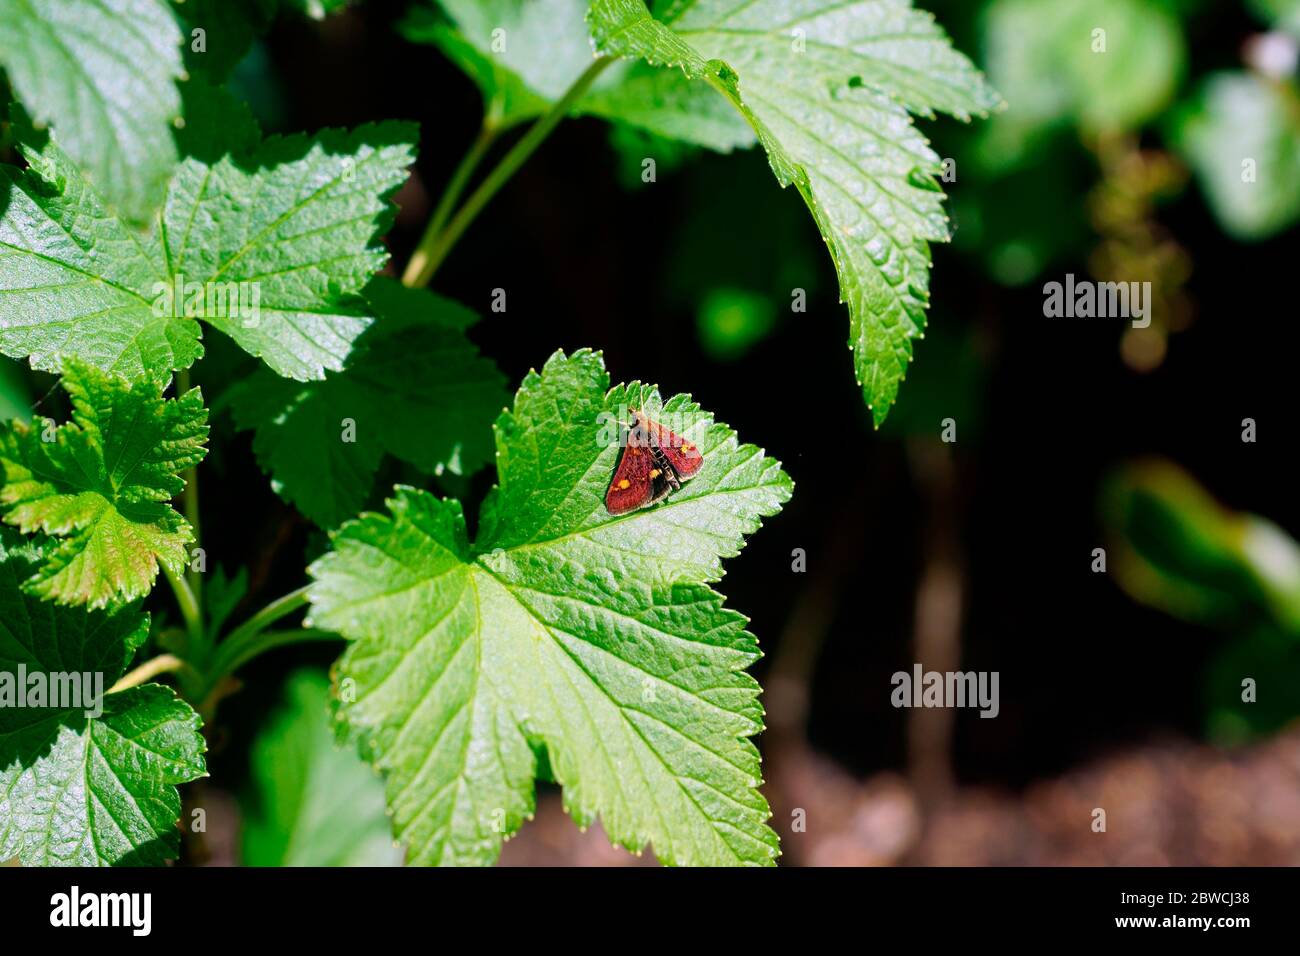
<point>84,790</point>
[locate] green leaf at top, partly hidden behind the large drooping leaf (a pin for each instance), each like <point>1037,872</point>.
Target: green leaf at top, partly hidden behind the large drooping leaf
<point>525,54</point>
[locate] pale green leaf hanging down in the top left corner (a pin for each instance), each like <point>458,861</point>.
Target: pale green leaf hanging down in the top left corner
<point>103,73</point>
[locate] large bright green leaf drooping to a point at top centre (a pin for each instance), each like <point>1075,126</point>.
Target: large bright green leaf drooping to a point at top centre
<point>829,88</point>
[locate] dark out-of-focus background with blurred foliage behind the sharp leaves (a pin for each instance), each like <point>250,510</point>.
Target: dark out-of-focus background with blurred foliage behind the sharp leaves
<point>1119,690</point>
